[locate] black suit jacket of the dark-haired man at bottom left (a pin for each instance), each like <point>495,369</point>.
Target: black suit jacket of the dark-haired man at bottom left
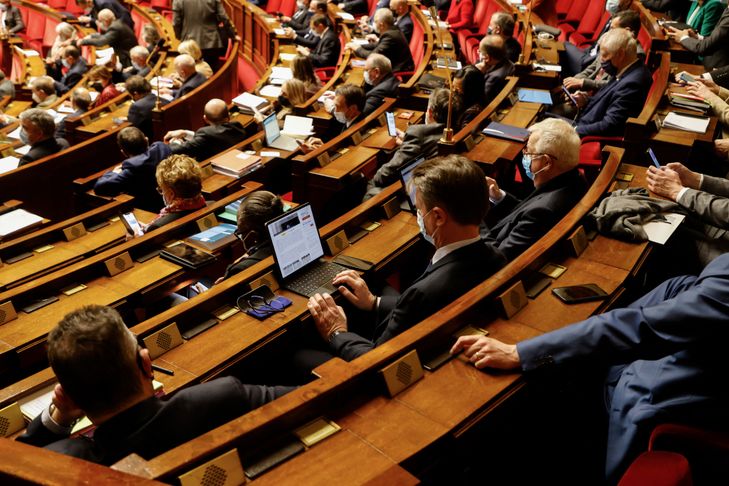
<point>156,425</point>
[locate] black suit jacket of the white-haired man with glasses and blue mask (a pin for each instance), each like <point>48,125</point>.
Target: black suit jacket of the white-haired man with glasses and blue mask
<point>522,223</point>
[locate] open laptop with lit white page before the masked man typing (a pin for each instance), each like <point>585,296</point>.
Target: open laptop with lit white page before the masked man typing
<point>297,251</point>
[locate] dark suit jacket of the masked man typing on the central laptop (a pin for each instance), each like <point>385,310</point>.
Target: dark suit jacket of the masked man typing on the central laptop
<point>441,283</point>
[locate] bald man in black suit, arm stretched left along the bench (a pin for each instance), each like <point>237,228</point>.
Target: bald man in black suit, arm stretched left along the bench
<point>218,135</point>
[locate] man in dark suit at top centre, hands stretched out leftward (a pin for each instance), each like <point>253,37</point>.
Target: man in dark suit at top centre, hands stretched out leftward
<point>391,43</point>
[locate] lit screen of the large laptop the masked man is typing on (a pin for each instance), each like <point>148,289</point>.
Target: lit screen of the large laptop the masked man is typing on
<point>295,239</point>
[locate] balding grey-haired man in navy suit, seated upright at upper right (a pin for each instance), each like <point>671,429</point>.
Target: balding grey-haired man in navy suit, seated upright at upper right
<point>606,112</point>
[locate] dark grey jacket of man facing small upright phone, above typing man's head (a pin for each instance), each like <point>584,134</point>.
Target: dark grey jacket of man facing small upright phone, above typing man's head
<point>419,140</point>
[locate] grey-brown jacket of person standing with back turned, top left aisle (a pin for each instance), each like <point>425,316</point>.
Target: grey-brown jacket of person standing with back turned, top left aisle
<point>198,20</point>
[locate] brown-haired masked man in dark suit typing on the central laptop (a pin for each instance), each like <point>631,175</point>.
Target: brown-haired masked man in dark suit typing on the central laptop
<point>451,198</point>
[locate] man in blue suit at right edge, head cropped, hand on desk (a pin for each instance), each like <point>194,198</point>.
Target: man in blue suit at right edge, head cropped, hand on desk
<point>667,351</point>
